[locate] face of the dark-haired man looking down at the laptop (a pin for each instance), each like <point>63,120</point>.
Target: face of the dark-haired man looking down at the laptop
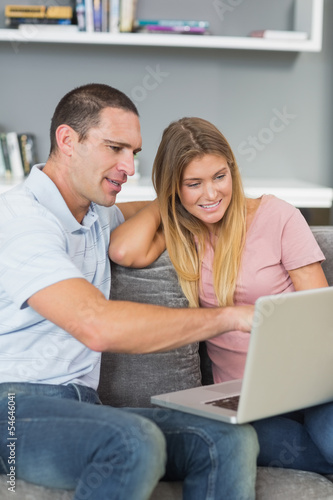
<point>101,163</point>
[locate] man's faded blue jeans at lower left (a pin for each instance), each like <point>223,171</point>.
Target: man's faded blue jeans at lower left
<point>61,437</point>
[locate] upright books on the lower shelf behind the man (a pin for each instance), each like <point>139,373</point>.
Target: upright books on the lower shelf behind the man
<point>17,154</point>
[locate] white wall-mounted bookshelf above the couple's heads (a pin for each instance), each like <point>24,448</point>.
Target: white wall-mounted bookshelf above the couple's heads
<point>308,17</point>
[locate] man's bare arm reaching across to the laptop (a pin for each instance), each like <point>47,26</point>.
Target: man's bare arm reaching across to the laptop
<point>104,325</point>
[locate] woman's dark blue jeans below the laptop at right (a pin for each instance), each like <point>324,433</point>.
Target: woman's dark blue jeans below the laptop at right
<point>299,440</point>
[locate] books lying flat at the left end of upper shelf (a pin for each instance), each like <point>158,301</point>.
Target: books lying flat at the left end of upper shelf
<point>37,15</point>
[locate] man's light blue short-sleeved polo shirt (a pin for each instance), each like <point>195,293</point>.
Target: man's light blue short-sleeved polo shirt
<point>41,243</point>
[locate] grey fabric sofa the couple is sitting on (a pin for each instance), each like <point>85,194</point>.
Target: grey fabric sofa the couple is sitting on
<point>130,380</point>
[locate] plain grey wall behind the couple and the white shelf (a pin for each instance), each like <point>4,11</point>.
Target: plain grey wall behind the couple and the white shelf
<point>244,93</point>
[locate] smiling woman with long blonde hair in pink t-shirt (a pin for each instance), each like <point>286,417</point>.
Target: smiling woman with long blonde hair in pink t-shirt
<point>228,249</point>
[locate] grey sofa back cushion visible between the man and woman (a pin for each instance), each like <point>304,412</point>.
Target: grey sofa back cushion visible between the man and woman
<point>130,379</point>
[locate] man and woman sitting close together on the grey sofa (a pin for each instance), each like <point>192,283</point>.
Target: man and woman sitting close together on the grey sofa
<point>227,250</point>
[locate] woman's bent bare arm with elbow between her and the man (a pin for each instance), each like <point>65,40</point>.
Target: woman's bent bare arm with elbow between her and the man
<point>140,239</point>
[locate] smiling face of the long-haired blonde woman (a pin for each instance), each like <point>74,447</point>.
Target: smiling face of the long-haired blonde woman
<point>206,189</point>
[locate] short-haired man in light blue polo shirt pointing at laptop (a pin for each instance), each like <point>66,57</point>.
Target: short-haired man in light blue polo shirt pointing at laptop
<point>56,319</point>
